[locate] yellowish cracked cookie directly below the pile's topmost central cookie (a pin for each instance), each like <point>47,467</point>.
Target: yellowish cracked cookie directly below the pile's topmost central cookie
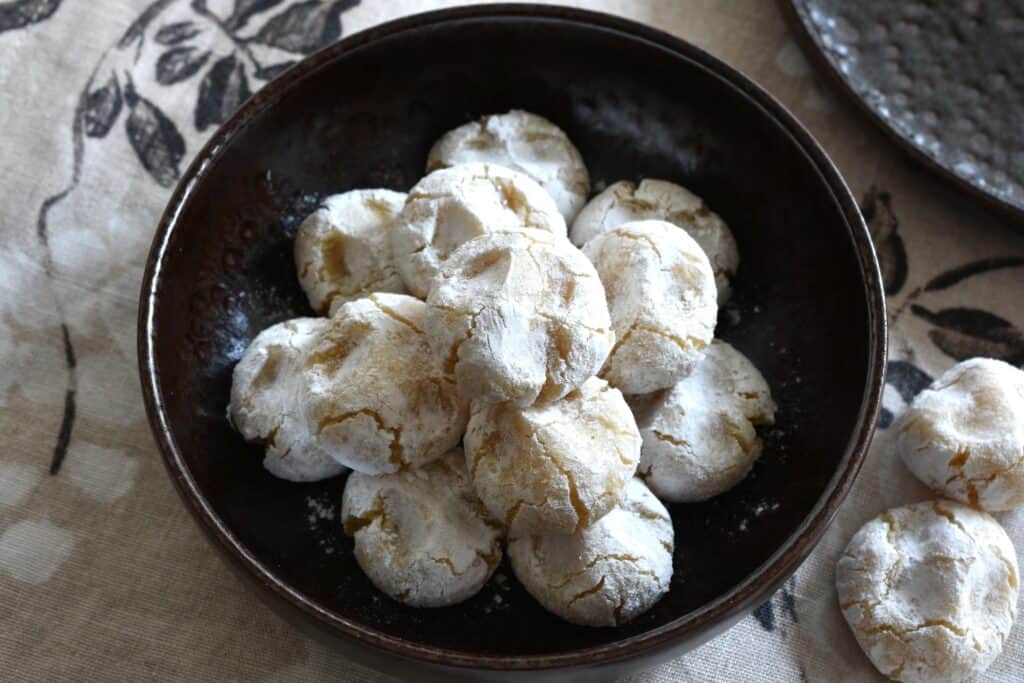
<point>554,468</point>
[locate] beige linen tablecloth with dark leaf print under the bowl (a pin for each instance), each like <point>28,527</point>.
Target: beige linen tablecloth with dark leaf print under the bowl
<point>104,576</point>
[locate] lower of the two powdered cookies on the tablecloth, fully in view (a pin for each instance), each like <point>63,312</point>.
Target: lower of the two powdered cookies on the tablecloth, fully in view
<point>930,591</point>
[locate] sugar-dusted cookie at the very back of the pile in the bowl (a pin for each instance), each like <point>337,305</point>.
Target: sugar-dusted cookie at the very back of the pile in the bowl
<point>526,143</point>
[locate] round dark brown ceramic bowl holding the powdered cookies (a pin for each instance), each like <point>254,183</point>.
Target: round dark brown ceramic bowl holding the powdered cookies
<point>808,310</point>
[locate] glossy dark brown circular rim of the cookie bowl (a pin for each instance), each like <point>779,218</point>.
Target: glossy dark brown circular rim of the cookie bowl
<point>743,597</point>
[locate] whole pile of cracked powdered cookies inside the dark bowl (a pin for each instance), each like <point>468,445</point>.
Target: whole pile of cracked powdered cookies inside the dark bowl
<point>497,380</point>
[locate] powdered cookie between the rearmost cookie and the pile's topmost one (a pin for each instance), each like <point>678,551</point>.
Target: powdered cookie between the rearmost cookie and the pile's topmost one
<point>455,205</point>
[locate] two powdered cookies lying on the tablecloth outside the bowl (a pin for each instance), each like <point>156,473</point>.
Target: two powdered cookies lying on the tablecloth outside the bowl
<point>930,589</point>
